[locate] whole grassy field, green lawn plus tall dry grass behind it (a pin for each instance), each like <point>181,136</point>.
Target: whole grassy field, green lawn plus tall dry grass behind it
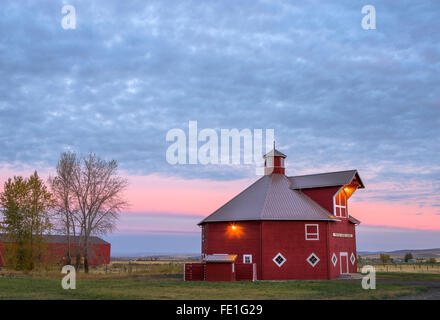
<point>164,281</point>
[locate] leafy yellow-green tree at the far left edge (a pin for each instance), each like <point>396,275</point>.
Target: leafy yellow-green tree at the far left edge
<point>25,206</point>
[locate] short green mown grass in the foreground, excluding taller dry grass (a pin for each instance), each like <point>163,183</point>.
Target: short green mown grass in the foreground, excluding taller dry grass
<point>168,287</point>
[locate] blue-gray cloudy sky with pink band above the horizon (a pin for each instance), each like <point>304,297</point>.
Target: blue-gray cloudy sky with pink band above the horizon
<point>337,96</point>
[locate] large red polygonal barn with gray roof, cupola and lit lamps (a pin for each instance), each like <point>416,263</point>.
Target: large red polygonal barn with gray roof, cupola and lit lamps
<point>287,227</point>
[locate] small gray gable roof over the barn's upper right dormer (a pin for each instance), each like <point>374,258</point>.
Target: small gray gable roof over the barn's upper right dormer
<point>329,179</point>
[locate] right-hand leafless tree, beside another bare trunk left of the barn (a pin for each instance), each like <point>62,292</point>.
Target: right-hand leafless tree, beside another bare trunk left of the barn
<point>99,195</point>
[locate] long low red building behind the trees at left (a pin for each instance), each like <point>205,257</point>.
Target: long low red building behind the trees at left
<point>99,250</point>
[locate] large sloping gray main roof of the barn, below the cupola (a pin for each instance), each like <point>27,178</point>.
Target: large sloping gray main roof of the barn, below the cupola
<point>270,198</point>
